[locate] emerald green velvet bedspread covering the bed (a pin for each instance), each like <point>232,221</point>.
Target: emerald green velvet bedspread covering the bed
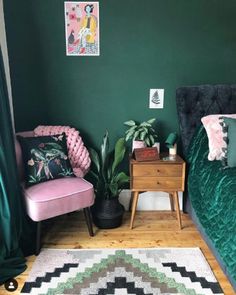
<point>212,191</point>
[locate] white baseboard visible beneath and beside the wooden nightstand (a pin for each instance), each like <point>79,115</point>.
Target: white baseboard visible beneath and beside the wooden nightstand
<point>149,200</point>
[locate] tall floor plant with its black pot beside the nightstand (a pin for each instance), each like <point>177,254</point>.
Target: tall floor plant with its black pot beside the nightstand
<point>108,181</point>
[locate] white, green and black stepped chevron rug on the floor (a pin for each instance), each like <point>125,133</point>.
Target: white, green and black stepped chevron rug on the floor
<point>163,271</point>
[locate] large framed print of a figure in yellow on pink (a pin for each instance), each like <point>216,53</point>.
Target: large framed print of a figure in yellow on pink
<point>82,30</point>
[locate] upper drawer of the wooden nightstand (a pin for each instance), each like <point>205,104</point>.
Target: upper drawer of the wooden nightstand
<point>157,170</point>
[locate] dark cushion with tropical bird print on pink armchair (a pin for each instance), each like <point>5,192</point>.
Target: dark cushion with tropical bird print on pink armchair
<point>45,158</point>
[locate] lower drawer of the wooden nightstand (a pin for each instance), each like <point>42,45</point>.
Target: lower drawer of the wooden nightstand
<point>157,183</point>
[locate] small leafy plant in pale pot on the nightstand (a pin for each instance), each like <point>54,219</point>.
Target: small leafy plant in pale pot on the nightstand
<point>143,132</point>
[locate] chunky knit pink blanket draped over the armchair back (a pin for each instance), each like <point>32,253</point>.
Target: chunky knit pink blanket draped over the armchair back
<point>77,152</point>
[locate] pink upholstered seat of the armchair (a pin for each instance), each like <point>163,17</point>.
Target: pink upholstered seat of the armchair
<point>57,197</point>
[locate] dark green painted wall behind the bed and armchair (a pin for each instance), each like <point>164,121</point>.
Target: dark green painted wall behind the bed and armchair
<point>144,44</point>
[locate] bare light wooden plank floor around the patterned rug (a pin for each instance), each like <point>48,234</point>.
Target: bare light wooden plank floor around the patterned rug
<point>151,229</point>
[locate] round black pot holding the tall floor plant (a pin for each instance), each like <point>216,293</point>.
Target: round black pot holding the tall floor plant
<point>108,213</point>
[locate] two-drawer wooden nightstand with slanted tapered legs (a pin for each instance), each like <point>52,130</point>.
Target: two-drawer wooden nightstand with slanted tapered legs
<point>167,176</point>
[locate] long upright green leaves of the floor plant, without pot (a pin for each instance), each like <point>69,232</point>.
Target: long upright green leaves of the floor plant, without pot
<point>107,178</point>
